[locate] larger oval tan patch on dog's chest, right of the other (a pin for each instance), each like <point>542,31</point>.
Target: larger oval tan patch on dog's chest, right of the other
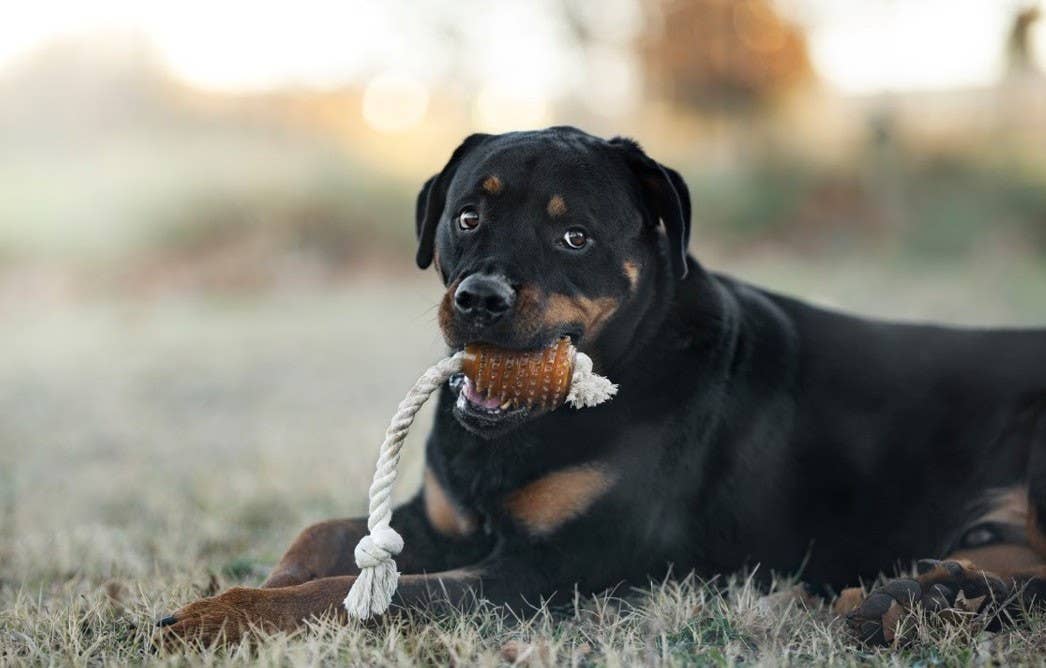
<point>548,503</point>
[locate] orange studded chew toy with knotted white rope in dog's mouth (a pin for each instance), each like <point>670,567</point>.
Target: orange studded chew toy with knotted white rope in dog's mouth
<point>536,379</point>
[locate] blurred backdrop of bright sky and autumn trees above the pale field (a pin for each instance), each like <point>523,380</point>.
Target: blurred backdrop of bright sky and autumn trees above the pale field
<point>152,149</point>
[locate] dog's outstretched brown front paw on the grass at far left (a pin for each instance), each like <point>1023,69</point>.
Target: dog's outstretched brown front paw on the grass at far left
<point>224,618</point>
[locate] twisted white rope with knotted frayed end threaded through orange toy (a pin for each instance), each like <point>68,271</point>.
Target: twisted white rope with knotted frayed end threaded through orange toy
<point>372,593</point>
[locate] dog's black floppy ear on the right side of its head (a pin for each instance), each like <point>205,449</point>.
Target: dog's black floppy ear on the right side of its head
<point>668,197</point>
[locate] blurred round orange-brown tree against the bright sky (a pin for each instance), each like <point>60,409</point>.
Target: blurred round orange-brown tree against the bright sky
<point>716,55</point>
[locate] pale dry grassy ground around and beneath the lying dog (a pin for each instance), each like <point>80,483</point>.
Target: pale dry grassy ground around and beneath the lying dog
<point>153,451</point>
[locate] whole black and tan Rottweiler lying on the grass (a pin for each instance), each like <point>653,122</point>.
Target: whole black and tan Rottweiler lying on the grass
<point>751,428</point>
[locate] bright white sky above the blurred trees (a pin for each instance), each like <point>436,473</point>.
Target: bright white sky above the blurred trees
<point>517,54</point>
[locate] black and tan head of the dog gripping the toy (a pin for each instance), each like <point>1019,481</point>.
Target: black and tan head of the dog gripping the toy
<point>545,235</point>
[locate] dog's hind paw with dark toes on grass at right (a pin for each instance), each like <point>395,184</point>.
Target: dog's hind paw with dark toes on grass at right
<point>949,590</point>
